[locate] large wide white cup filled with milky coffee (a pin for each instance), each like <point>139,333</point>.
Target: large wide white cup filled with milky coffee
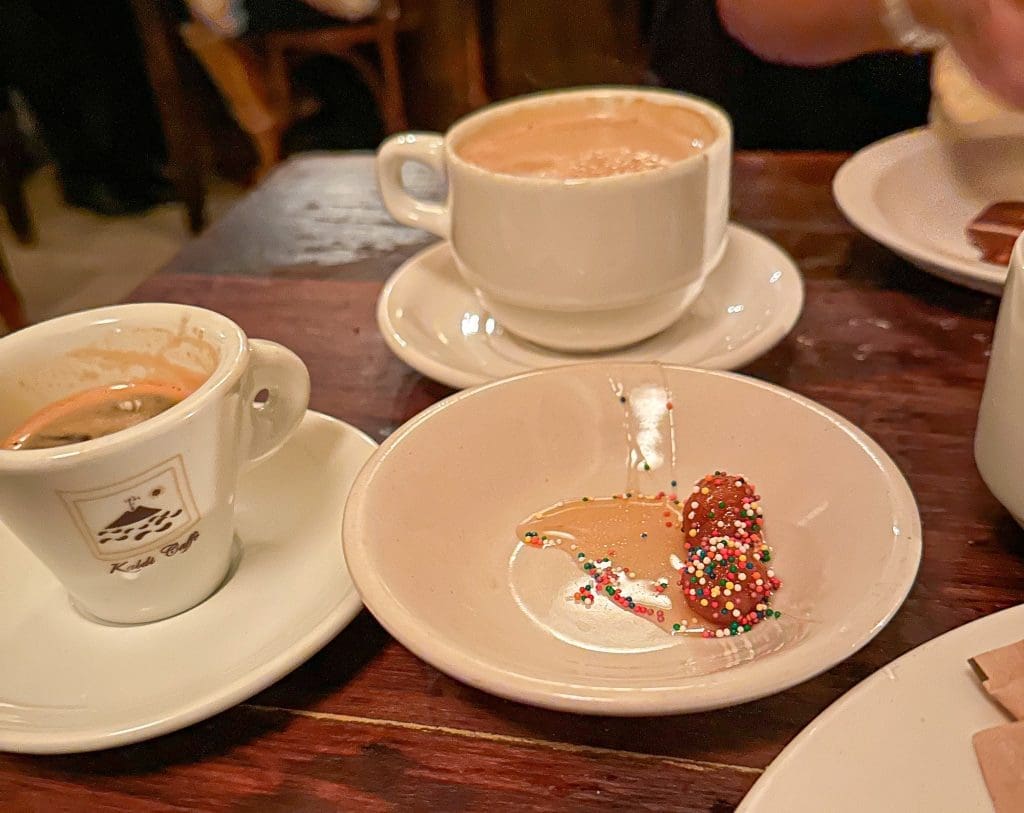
<point>575,265</point>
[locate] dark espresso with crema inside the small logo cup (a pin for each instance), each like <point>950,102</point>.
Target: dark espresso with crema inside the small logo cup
<point>96,413</point>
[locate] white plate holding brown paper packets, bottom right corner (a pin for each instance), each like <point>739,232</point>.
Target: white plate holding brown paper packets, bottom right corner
<point>902,740</point>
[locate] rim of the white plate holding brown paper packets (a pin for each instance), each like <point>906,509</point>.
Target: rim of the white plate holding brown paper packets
<point>762,787</point>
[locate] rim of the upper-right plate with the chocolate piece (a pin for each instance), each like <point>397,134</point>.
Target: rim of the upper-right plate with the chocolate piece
<point>851,190</point>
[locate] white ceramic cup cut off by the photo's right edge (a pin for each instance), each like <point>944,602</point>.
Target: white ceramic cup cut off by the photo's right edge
<point>999,443</point>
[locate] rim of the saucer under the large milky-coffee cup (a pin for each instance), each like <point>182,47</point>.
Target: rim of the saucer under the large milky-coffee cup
<point>459,378</point>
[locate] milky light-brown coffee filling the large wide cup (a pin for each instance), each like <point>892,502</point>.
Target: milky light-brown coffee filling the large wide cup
<point>588,139</point>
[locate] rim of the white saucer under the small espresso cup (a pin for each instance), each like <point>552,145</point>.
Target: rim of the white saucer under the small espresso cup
<point>100,738</point>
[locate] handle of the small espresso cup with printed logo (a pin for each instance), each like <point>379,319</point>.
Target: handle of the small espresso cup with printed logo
<point>270,423</point>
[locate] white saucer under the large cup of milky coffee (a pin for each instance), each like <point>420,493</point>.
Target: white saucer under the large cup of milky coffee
<point>435,323</point>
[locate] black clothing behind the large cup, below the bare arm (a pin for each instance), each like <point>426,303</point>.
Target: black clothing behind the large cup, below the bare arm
<point>843,107</point>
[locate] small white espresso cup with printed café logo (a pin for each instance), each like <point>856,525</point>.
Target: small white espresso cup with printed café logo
<point>139,525</point>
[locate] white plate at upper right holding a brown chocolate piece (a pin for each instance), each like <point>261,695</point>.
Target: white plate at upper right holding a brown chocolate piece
<point>902,193</point>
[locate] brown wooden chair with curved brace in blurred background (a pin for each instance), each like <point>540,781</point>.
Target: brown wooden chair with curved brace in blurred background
<point>253,74</point>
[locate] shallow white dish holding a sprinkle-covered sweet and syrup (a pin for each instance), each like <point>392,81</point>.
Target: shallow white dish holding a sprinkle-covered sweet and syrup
<point>431,535</point>
